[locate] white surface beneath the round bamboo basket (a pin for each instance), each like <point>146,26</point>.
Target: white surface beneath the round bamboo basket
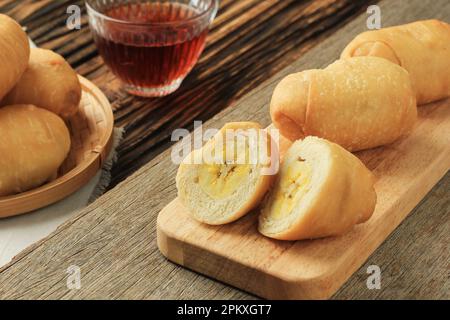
<point>17,233</point>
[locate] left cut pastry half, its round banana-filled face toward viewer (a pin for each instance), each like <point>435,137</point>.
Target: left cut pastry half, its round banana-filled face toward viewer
<point>229,175</point>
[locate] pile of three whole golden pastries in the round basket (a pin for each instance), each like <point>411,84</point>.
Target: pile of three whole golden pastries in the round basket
<point>38,89</point>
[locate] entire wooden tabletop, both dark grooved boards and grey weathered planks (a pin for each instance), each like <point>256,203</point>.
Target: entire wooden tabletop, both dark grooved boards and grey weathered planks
<point>113,241</point>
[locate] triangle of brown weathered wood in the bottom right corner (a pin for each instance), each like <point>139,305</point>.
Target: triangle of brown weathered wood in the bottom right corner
<point>419,252</point>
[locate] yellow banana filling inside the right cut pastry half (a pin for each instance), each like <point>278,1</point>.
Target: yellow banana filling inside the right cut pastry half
<point>294,185</point>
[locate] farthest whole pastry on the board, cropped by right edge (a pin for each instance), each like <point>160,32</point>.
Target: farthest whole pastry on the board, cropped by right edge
<point>421,47</point>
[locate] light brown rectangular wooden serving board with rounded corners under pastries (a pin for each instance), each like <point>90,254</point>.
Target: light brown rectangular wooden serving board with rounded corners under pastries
<point>238,255</point>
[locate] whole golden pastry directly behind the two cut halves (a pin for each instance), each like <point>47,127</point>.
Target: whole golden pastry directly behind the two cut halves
<point>359,103</point>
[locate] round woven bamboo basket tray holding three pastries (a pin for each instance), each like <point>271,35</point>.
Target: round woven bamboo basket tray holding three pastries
<point>91,131</point>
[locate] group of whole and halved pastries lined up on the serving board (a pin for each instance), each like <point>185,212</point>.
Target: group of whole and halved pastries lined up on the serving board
<point>366,99</point>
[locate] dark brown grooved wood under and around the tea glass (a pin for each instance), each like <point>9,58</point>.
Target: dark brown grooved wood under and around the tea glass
<point>248,43</point>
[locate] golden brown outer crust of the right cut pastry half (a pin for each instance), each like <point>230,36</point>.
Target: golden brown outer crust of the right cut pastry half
<point>347,197</point>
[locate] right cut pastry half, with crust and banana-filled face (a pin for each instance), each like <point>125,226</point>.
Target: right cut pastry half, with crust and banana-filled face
<point>321,190</point>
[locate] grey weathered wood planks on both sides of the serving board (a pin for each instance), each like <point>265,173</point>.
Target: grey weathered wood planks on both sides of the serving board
<point>114,241</point>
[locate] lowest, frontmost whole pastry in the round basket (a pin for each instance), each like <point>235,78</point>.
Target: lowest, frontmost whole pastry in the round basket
<point>33,143</point>
